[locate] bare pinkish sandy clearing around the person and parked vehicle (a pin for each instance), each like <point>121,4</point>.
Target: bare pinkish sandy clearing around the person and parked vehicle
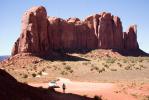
<point>108,91</point>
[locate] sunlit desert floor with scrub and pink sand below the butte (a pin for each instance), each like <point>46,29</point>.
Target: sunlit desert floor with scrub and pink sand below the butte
<point>102,73</point>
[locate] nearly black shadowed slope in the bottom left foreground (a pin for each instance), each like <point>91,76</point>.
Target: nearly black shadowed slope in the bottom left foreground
<point>11,89</point>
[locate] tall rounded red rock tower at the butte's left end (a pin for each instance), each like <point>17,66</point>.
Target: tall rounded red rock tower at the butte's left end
<point>34,37</point>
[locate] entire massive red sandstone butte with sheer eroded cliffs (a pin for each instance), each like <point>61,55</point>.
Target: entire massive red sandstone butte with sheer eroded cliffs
<point>42,34</point>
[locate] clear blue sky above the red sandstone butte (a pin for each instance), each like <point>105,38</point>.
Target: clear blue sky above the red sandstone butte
<point>130,12</point>
